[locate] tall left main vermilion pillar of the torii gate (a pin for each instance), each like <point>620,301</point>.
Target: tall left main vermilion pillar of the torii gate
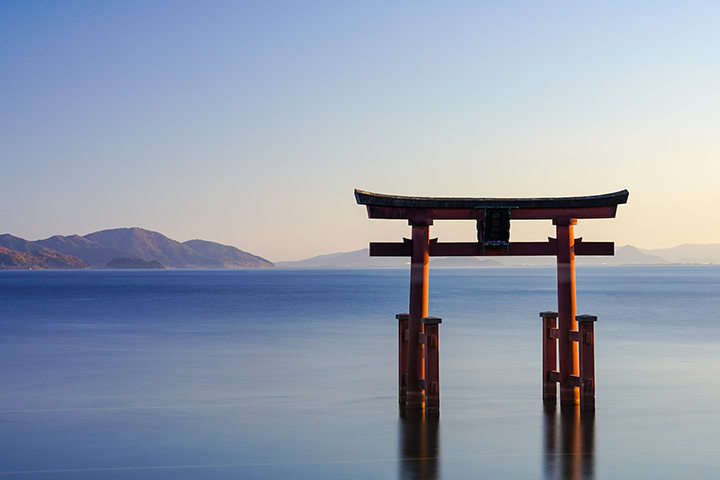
<point>419,277</point>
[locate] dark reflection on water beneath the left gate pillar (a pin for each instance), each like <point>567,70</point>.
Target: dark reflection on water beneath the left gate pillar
<point>419,445</point>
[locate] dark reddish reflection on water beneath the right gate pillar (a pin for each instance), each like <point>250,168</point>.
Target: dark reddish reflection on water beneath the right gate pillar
<point>569,443</point>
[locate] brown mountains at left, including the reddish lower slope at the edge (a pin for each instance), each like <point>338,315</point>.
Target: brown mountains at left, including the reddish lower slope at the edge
<point>97,249</point>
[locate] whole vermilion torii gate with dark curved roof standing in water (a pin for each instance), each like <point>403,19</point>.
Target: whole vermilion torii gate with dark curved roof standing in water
<point>419,364</point>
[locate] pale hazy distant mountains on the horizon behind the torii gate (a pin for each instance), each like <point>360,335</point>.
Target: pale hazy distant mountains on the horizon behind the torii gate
<point>627,255</point>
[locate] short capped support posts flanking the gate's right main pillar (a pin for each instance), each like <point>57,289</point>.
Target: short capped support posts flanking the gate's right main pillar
<point>584,336</point>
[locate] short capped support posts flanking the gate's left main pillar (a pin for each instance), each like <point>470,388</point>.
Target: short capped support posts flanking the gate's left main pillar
<point>428,340</point>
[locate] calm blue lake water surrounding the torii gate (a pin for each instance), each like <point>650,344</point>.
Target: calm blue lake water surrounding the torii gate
<point>273,374</point>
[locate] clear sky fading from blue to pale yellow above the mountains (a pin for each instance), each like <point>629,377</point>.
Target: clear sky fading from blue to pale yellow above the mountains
<point>251,123</point>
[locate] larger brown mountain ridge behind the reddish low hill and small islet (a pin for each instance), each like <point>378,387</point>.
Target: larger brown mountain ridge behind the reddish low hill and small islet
<point>99,248</point>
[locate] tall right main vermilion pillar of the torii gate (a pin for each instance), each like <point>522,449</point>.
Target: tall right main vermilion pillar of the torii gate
<point>567,308</point>
